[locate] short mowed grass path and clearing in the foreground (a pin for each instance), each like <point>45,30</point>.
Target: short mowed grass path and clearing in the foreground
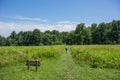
<point>62,68</point>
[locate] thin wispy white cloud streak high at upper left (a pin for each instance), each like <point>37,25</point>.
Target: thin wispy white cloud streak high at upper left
<point>25,18</point>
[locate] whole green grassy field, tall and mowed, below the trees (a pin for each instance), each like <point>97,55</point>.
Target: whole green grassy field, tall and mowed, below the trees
<point>79,64</point>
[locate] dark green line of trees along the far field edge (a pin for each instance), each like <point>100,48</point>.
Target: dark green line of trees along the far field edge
<point>103,33</point>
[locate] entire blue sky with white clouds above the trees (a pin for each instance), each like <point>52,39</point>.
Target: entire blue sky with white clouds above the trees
<point>61,15</point>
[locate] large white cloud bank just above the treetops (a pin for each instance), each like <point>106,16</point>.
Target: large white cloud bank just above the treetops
<point>7,27</point>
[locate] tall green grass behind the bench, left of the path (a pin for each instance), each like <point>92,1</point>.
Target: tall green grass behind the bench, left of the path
<point>19,54</point>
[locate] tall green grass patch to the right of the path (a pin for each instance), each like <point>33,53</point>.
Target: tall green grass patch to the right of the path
<point>97,56</point>
